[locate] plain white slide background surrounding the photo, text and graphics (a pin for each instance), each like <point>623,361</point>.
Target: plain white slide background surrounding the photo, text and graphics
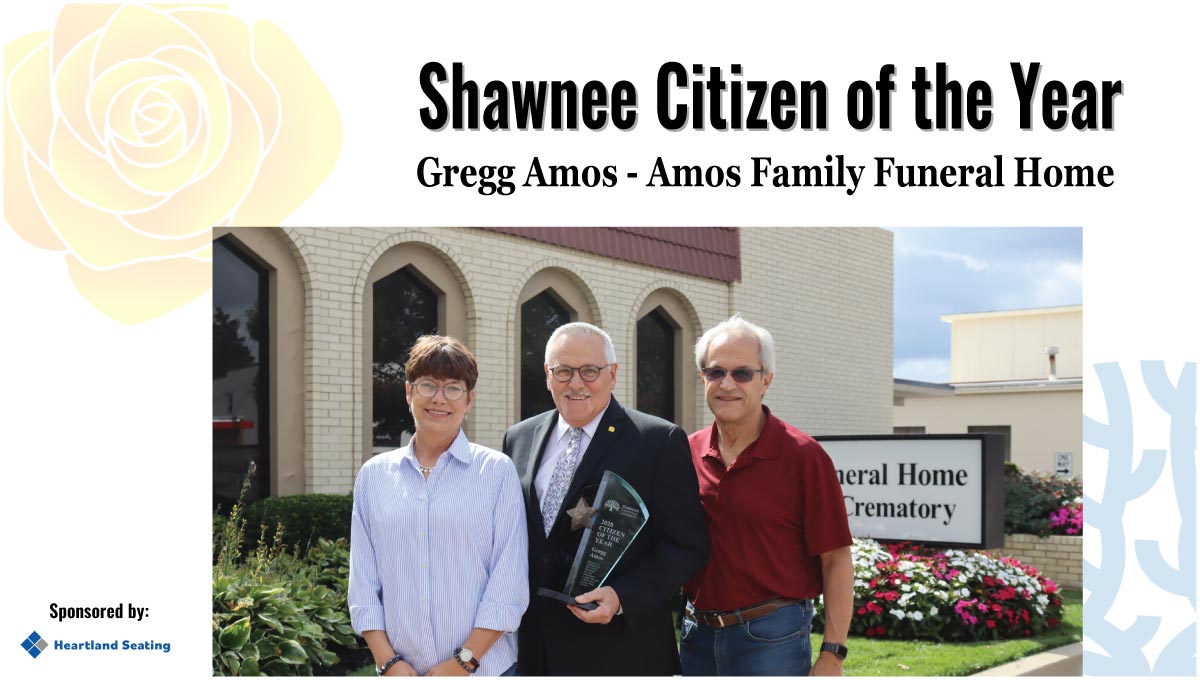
<point>107,443</point>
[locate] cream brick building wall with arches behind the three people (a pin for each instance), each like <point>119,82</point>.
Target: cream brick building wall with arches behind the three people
<point>825,294</point>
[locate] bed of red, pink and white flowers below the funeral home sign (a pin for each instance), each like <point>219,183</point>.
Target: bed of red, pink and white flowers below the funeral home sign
<point>907,592</point>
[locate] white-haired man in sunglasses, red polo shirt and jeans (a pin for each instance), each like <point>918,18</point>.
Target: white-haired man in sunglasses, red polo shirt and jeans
<point>777,525</point>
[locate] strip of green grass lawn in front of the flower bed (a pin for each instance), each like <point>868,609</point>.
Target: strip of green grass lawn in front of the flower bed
<point>869,657</point>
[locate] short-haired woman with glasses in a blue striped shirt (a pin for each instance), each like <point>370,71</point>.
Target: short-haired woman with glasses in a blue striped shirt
<point>439,545</point>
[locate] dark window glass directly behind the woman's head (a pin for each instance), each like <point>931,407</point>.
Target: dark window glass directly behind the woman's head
<point>405,310</point>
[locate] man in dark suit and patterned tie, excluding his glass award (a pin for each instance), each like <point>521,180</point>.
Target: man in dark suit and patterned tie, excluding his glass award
<point>561,456</point>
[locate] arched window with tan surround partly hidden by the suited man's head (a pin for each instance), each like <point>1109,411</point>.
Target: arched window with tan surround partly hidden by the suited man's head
<point>550,299</point>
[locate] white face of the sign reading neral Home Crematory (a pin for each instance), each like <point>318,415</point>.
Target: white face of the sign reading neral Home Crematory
<point>913,490</point>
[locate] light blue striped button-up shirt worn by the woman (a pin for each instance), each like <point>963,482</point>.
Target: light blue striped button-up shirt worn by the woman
<point>433,559</point>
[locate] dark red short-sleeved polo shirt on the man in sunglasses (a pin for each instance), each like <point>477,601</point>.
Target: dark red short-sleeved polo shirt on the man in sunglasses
<point>771,516</point>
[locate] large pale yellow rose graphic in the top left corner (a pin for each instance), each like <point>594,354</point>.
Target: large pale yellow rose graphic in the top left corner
<point>131,131</point>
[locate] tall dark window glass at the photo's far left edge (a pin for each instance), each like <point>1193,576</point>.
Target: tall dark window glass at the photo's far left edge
<point>241,380</point>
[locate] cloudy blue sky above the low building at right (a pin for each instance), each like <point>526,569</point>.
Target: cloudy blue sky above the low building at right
<point>955,270</point>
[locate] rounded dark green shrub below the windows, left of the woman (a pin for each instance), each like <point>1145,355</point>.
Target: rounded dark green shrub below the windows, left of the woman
<point>307,519</point>
